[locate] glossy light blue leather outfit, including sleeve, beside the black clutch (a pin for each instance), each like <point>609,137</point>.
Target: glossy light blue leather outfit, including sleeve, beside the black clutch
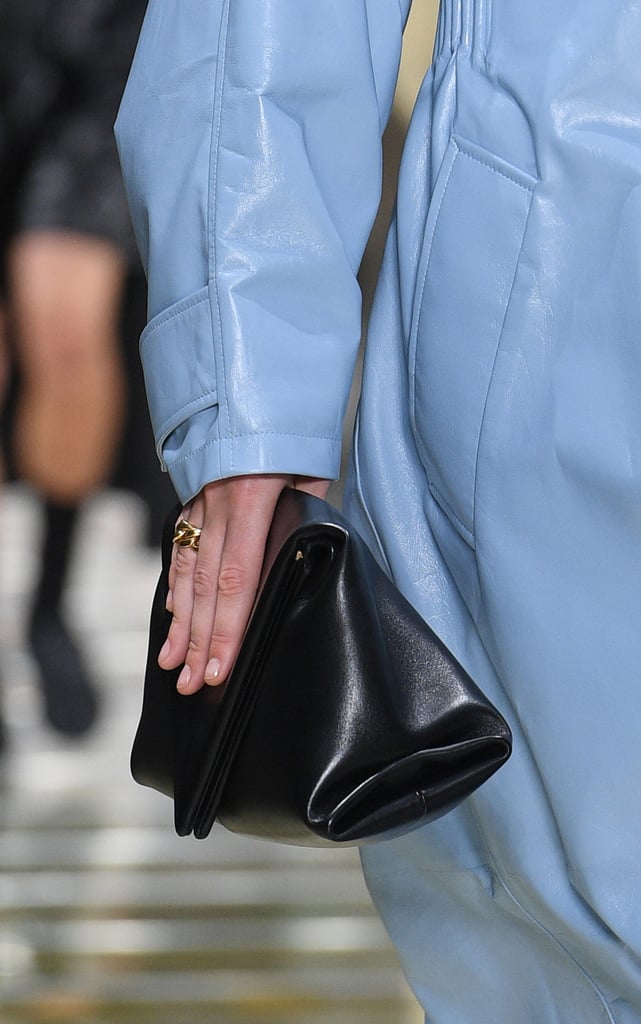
<point>498,460</point>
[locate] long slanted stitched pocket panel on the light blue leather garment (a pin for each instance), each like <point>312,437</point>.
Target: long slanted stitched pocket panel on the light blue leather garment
<point>474,240</point>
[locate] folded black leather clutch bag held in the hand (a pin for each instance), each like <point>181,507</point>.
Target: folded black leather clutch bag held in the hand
<point>345,720</point>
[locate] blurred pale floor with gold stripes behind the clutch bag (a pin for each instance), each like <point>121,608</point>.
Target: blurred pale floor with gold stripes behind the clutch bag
<point>105,915</point>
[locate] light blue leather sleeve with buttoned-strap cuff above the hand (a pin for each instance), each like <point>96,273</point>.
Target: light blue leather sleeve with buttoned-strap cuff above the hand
<point>250,139</point>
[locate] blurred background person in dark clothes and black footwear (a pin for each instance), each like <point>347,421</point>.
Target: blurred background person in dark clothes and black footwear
<point>67,249</point>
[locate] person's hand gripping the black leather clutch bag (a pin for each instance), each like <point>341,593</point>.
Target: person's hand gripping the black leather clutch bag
<point>212,591</point>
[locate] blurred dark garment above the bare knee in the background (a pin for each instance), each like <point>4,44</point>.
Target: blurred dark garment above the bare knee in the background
<point>63,69</point>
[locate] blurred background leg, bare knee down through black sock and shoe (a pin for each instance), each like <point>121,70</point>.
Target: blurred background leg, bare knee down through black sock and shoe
<point>66,293</point>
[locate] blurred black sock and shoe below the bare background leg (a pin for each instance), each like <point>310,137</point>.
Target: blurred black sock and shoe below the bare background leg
<point>70,700</point>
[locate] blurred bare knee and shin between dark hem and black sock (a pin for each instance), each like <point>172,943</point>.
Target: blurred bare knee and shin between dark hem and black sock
<point>66,292</point>
